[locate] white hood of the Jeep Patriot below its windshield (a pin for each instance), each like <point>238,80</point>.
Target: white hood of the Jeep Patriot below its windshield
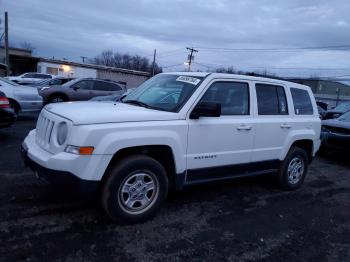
<point>91,112</point>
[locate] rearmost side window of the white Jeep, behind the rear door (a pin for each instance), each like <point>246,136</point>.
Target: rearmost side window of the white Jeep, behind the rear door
<point>302,102</point>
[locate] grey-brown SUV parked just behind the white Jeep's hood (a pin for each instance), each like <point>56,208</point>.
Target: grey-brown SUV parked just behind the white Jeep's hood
<point>80,89</point>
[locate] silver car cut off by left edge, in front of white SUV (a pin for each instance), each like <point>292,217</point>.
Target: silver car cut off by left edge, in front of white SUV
<point>22,98</point>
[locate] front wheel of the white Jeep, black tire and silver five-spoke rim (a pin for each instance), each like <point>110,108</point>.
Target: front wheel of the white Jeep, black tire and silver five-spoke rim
<point>127,195</point>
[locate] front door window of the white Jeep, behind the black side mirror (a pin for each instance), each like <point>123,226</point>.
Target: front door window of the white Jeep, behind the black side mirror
<point>233,97</point>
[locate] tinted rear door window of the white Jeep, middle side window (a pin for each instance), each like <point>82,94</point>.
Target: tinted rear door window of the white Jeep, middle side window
<point>271,100</point>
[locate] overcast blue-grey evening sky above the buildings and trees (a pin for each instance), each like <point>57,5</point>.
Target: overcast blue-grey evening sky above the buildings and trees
<point>70,29</point>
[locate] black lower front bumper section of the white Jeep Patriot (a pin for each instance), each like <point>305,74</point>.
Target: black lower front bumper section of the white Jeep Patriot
<point>62,179</point>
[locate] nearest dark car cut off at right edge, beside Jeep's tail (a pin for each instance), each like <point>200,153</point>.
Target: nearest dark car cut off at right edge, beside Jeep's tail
<point>335,133</point>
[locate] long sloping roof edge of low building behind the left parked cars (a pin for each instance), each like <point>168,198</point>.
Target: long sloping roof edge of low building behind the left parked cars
<point>92,66</point>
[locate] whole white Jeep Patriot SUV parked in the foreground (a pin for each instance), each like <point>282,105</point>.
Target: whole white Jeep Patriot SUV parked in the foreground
<point>175,130</point>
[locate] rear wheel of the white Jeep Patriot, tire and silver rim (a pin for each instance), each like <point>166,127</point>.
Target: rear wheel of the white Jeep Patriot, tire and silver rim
<point>293,169</point>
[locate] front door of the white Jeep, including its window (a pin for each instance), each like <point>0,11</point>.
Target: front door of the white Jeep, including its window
<point>217,145</point>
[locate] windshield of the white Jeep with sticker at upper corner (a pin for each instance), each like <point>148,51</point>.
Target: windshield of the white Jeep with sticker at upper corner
<point>164,92</point>
